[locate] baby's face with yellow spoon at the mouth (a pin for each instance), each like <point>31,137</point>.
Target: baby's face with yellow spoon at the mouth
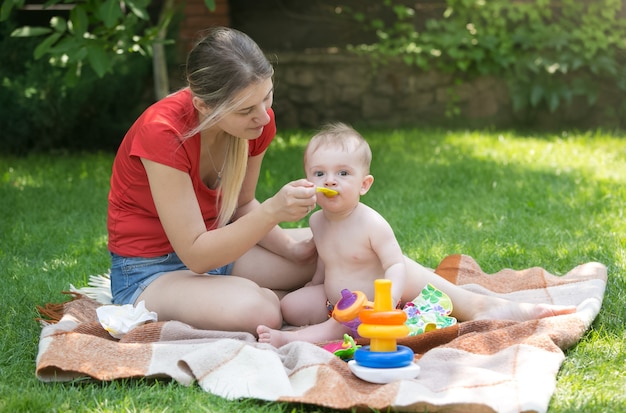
<point>338,170</point>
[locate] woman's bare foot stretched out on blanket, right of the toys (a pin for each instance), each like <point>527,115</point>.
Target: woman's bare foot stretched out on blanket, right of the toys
<point>509,310</point>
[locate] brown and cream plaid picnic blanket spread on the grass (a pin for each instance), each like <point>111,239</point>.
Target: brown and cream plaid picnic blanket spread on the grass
<point>477,366</point>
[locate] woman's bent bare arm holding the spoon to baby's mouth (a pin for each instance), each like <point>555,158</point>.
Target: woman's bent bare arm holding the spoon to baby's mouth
<point>202,250</point>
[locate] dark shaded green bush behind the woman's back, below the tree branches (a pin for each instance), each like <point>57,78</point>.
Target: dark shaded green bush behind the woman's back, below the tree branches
<point>41,112</point>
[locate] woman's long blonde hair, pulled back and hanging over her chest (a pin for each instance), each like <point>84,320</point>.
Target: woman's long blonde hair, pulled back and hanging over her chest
<point>224,62</point>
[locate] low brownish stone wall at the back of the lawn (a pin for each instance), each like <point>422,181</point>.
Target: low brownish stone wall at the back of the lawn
<point>314,88</point>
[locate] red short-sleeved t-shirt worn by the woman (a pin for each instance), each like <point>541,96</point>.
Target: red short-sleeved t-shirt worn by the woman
<point>133,223</point>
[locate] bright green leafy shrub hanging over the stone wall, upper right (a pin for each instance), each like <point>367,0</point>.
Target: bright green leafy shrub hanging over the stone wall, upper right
<point>548,51</point>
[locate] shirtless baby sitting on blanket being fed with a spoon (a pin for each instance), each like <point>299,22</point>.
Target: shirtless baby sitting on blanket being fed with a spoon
<point>355,244</point>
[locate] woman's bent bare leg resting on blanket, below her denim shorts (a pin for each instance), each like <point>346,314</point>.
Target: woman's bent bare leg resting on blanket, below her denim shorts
<point>212,302</point>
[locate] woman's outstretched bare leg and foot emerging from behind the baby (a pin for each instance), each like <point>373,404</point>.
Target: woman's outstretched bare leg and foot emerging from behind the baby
<point>468,305</point>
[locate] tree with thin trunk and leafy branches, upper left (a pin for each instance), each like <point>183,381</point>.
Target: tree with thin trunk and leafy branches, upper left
<point>96,33</point>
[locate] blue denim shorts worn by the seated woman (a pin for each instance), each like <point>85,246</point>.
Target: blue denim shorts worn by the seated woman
<point>131,275</point>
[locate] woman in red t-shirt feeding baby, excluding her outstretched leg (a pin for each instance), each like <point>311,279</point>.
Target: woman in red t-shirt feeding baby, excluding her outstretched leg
<point>182,199</point>
